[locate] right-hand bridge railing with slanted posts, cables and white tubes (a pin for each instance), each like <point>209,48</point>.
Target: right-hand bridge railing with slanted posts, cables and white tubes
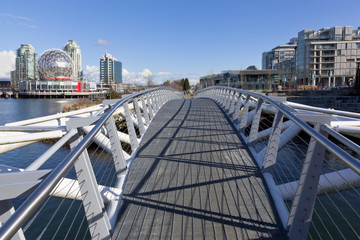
<point>312,172</point>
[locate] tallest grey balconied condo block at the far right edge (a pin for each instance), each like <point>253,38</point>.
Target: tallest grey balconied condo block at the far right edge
<point>327,53</point>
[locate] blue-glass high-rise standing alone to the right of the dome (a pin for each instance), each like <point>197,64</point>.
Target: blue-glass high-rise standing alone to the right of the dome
<point>110,70</point>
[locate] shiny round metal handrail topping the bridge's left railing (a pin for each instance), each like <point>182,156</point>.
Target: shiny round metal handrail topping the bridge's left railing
<point>11,226</point>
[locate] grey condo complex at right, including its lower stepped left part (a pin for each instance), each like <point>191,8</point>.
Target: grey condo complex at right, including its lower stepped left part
<point>326,57</point>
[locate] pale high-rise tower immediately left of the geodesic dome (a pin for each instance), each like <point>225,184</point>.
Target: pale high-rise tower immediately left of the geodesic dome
<point>26,63</point>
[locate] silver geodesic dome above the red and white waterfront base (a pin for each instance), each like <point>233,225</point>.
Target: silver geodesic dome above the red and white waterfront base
<point>55,64</point>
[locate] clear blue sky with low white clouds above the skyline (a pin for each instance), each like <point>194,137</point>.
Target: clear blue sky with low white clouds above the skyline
<point>168,39</point>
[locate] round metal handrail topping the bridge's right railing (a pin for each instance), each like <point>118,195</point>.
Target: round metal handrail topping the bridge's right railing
<point>352,162</point>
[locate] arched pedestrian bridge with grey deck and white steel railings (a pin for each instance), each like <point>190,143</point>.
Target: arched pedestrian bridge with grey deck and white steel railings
<point>228,164</point>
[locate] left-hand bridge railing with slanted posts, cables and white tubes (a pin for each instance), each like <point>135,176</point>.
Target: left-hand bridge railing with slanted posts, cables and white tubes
<point>102,147</point>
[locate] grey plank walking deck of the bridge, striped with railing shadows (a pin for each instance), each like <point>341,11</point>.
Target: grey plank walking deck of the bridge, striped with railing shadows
<point>193,179</point>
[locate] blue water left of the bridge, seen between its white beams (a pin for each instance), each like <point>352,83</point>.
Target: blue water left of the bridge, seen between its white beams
<point>12,110</point>
